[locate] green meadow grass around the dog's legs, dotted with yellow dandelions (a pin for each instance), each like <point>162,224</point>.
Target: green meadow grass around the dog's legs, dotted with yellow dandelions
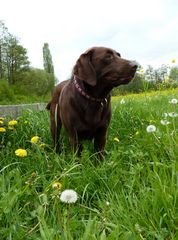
<point>132,194</point>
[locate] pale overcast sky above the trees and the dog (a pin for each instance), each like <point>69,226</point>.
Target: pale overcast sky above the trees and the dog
<point>141,30</point>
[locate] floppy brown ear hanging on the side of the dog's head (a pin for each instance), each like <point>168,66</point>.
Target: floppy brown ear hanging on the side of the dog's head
<point>84,70</point>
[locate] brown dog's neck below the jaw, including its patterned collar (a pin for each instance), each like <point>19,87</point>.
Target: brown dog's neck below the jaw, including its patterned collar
<point>95,94</point>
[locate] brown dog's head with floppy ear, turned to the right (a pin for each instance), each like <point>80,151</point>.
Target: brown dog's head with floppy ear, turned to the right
<point>100,63</point>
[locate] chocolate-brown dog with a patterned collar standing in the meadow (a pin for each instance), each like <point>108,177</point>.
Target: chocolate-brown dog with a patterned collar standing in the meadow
<point>82,104</point>
